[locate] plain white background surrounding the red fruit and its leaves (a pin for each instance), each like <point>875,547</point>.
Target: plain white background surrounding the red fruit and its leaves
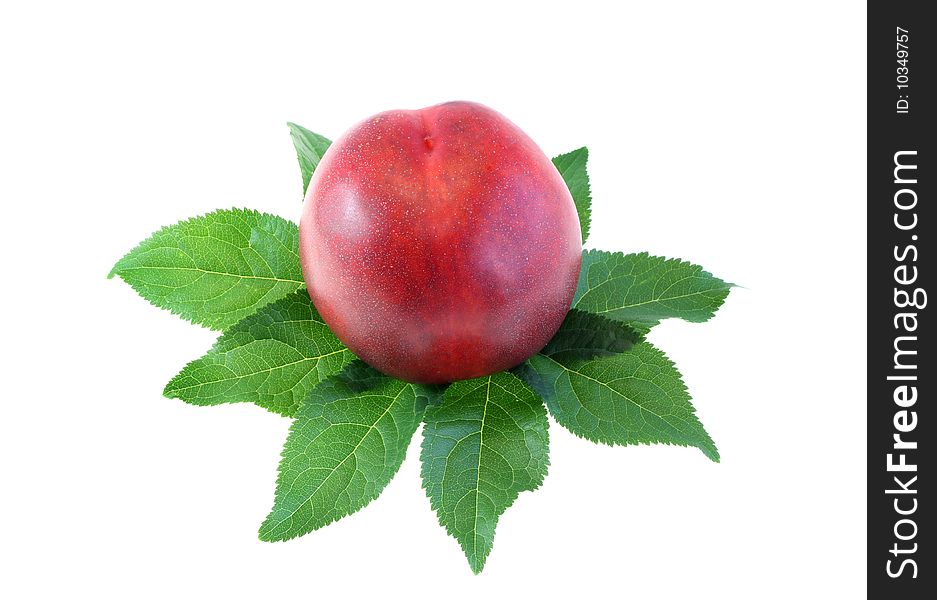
<point>730,134</point>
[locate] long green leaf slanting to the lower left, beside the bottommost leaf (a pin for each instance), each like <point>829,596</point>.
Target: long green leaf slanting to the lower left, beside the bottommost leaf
<point>347,442</point>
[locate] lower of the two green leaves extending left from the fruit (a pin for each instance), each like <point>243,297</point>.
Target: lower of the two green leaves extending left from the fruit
<point>272,358</point>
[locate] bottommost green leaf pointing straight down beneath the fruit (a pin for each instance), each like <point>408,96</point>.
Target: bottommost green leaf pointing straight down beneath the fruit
<point>485,443</point>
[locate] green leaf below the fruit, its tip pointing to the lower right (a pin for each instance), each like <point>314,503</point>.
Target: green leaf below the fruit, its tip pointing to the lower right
<point>633,397</point>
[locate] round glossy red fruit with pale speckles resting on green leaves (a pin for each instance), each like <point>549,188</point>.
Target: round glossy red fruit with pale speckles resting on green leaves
<point>440,244</point>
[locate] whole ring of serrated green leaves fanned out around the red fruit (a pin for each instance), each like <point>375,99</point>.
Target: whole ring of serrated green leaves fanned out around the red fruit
<point>484,440</point>
